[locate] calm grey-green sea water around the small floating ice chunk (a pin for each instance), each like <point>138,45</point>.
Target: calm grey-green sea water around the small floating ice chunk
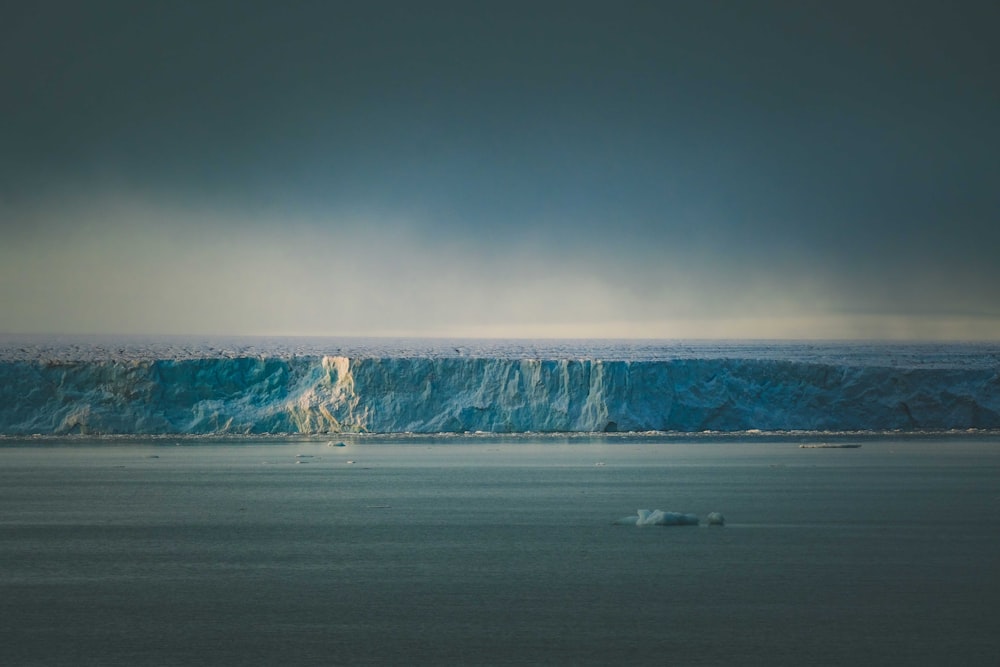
<point>499,552</point>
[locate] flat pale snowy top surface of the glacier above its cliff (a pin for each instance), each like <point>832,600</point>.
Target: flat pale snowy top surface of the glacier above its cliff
<point>147,348</point>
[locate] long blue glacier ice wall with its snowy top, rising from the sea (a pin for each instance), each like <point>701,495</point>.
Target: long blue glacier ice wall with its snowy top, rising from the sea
<point>667,387</point>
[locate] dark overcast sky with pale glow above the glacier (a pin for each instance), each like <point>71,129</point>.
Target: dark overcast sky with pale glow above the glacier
<point>574,169</point>
